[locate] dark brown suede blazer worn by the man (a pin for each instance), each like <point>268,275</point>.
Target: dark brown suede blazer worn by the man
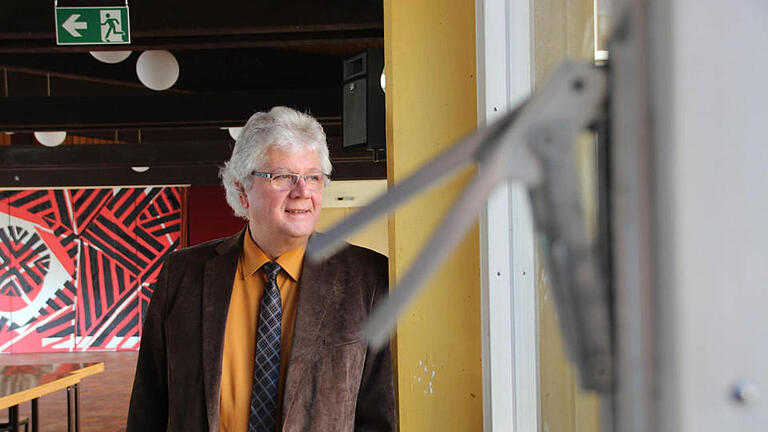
<point>334,383</point>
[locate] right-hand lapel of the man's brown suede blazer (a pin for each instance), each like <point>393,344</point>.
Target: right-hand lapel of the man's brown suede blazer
<point>314,289</point>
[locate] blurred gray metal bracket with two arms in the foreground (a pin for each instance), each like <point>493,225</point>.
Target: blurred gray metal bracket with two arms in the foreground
<point>532,144</point>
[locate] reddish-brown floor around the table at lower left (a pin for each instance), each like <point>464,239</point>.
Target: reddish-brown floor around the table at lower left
<point>103,397</point>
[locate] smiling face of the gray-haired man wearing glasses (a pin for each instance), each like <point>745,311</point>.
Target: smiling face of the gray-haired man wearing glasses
<point>284,218</point>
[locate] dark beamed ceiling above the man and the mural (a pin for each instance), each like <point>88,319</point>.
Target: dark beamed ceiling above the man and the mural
<point>235,57</point>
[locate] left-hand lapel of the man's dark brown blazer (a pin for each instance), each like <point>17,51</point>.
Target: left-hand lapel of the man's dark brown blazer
<point>217,290</point>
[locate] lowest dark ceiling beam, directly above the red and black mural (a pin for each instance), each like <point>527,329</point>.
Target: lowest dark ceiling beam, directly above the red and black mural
<point>195,163</point>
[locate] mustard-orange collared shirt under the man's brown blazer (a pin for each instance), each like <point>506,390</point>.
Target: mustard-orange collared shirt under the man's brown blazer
<point>241,329</point>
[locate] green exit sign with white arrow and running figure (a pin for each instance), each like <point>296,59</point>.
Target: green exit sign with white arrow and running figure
<point>92,25</point>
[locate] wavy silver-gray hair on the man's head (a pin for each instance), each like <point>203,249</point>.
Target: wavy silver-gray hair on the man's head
<point>282,128</point>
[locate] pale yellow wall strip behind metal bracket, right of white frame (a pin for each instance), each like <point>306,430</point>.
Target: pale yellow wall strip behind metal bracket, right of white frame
<point>562,29</point>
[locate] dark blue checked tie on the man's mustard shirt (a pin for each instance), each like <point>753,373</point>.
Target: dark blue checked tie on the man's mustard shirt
<point>266,369</point>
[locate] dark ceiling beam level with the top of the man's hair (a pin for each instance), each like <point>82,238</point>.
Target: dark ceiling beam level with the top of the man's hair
<point>161,109</point>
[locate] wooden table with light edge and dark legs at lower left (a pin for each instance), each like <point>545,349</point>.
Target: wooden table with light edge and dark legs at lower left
<point>22,383</point>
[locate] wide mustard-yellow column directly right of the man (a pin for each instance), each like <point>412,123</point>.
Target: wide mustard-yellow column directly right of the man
<point>431,102</point>
